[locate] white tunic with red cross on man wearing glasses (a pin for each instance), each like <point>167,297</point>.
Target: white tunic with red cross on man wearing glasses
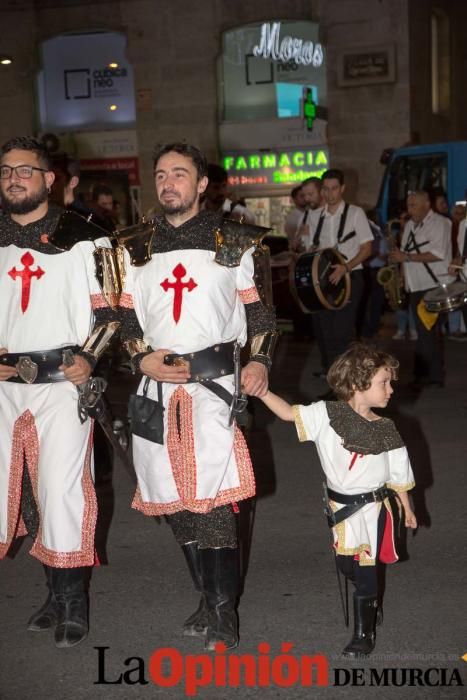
<point>47,302</point>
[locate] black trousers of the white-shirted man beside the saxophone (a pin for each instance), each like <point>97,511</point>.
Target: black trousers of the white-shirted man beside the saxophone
<point>428,360</point>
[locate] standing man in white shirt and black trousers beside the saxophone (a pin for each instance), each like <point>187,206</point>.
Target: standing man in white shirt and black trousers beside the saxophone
<point>425,254</point>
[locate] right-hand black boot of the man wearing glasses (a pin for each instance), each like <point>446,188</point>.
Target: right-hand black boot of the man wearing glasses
<point>72,601</point>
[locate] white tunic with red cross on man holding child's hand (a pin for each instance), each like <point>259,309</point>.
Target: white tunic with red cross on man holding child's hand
<point>186,302</point>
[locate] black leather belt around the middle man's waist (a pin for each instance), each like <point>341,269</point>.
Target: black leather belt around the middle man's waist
<point>210,363</point>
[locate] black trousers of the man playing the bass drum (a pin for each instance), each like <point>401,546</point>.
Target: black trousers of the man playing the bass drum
<point>334,329</point>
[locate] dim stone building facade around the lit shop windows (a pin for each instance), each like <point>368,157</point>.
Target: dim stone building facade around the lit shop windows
<point>392,67</point>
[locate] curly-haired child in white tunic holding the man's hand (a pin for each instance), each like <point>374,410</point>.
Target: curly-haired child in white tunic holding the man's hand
<point>365,462</point>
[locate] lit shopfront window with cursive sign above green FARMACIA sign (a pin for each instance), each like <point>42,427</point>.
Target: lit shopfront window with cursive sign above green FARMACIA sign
<point>273,111</point>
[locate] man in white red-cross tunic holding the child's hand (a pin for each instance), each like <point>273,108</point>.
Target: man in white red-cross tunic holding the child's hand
<point>183,312</point>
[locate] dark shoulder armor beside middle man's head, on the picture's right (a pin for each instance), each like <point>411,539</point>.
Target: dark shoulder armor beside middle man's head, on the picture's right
<point>234,238</point>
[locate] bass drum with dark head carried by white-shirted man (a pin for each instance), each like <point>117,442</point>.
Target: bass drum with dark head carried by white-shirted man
<point>310,283</point>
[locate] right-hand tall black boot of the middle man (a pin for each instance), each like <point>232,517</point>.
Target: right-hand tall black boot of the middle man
<point>220,576</point>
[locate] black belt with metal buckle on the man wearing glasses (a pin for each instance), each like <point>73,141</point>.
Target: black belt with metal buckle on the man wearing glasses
<point>37,367</point>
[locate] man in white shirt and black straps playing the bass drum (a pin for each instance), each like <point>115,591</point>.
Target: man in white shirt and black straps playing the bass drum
<point>345,227</point>
